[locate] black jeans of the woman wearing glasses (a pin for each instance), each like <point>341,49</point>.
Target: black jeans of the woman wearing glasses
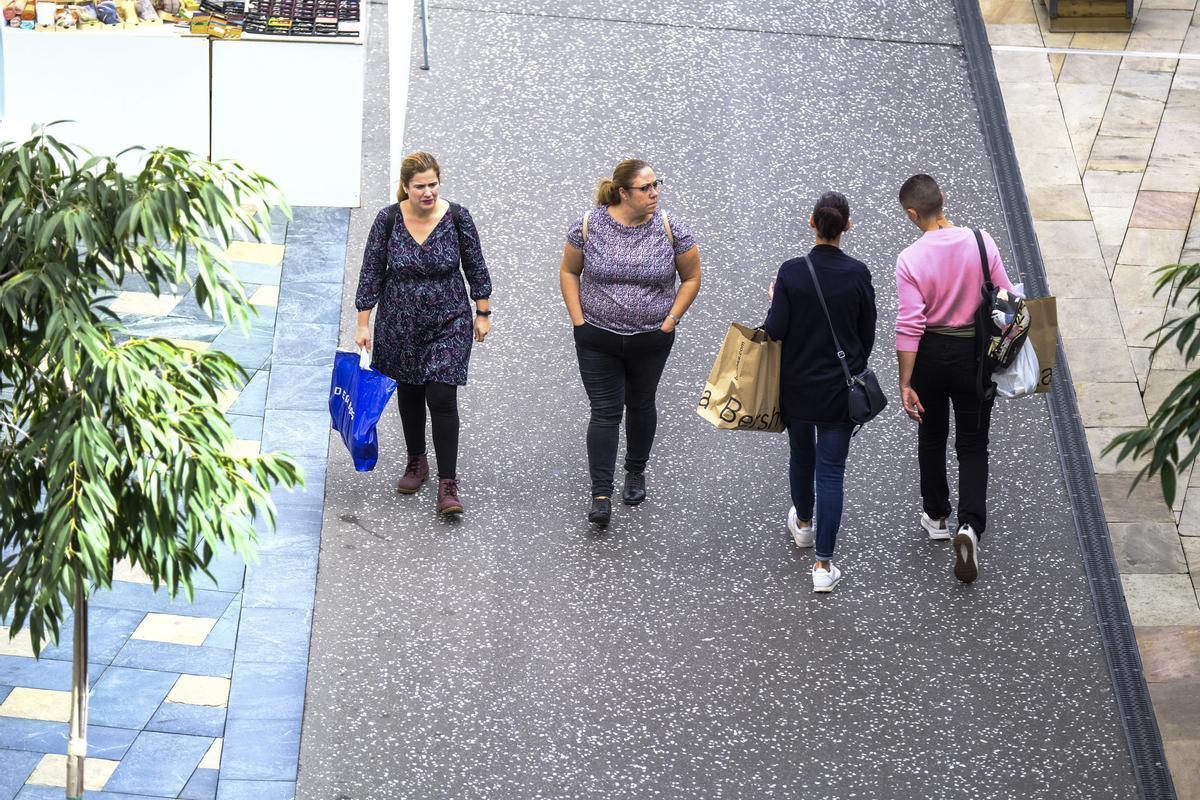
<point>620,372</point>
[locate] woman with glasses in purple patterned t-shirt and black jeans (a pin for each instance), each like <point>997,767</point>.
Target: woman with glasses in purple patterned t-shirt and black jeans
<point>619,280</point>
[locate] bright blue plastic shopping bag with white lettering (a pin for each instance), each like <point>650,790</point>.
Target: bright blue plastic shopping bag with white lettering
<point>358,396</point>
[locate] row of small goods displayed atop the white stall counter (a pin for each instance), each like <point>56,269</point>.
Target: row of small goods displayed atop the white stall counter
<point>317,19</point>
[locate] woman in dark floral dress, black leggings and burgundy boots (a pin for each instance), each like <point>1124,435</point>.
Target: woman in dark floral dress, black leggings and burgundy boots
<point>411,270</point>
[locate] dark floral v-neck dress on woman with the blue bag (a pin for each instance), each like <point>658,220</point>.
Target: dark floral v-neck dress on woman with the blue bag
<point>424,328</point>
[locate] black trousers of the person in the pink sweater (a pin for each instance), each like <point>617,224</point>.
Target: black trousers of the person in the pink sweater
<point>946,374</point>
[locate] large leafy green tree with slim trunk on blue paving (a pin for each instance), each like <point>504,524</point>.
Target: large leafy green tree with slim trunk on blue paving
<point>112,447</point>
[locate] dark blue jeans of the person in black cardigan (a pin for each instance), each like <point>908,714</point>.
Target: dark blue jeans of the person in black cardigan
<point>817,472</point>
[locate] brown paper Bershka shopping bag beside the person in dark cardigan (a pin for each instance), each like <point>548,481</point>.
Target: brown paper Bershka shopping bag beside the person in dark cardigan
<point>742,392</point>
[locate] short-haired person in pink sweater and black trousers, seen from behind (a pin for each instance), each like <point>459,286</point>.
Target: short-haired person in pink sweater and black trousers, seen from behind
<point>940,282</point>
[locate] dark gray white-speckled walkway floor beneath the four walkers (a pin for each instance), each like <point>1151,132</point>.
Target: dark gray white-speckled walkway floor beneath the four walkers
<point>682,654</point>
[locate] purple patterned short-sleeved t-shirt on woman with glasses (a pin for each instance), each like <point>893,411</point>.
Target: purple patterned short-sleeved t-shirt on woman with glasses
<point>629,279</point>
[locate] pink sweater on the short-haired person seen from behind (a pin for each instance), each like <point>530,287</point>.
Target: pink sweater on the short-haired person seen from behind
<point>939,281</point>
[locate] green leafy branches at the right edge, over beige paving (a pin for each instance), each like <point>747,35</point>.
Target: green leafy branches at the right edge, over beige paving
<point>1172,437</point>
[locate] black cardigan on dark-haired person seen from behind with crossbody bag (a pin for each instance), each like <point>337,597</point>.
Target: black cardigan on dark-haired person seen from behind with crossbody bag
<point>813,387</point>
